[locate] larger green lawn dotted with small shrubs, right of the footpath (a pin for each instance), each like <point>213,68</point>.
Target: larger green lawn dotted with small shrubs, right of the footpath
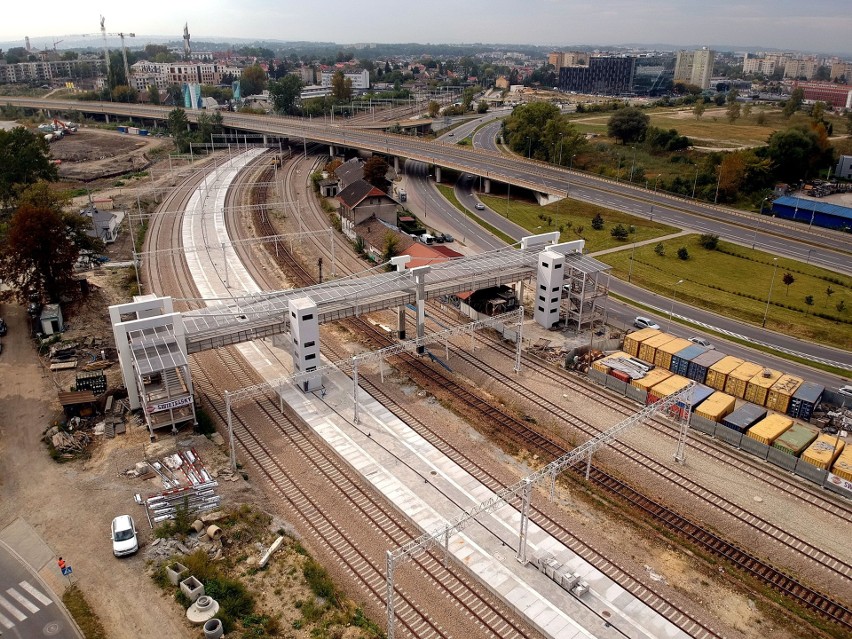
<point>735,281</point>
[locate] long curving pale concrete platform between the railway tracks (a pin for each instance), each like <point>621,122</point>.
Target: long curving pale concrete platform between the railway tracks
<point>417,478</point>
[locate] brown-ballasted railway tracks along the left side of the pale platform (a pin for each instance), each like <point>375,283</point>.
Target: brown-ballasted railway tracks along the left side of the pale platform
<point>259,423</point>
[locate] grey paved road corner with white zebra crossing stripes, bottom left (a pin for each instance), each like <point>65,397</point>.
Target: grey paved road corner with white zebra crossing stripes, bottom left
<point>28,608</point>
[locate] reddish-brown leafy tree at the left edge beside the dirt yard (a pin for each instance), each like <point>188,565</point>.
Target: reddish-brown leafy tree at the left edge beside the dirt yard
<point>42,245</point>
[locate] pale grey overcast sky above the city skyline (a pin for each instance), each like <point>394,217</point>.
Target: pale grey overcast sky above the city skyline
<point>818,25</point>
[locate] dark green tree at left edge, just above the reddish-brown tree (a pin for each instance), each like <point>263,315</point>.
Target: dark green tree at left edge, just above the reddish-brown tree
<point>24,160</point>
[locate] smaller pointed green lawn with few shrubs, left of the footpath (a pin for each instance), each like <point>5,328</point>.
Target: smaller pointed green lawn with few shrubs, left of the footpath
<point>568,216</point>
